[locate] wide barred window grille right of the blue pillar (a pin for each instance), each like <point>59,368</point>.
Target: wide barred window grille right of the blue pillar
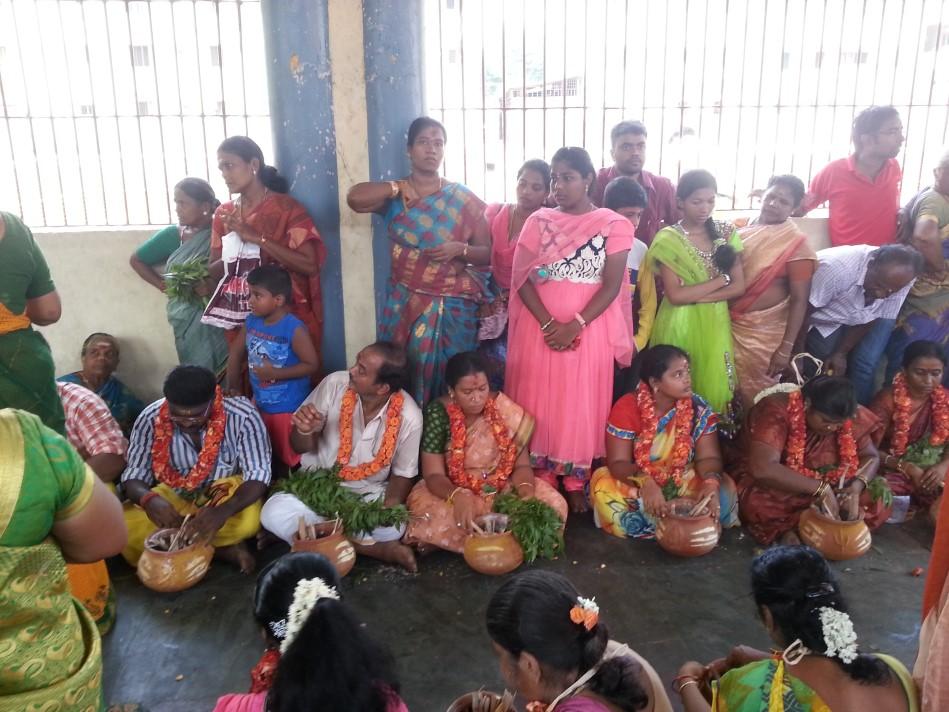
<point>744,88</point>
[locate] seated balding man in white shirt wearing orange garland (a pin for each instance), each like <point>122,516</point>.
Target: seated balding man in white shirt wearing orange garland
<point>364,421</point>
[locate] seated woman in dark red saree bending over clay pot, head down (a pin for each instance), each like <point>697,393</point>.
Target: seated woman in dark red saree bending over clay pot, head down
<point>805,447</point>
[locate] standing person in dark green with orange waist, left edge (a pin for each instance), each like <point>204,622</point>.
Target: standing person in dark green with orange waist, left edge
<point>27,297</point>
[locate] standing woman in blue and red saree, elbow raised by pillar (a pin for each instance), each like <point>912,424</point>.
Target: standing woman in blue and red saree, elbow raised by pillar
<point>439,239</point>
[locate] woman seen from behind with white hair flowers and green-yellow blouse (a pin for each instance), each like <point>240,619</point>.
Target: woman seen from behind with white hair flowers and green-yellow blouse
<point>818,666</point>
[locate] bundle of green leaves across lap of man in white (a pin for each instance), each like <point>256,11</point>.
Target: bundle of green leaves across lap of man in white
<point>322,491</point>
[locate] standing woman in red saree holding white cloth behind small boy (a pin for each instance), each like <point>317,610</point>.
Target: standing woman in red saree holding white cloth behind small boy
<point>263,225</point>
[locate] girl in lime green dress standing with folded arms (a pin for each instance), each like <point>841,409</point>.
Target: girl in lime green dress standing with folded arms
<point>696,263</point>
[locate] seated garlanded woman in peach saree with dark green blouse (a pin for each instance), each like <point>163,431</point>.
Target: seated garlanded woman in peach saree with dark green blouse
<point>474,445</point>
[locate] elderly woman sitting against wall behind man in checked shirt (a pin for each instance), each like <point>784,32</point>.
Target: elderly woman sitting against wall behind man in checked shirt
<point>100,358</point>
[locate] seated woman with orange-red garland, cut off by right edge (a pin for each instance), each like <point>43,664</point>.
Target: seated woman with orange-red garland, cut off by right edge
<point>915,416</point>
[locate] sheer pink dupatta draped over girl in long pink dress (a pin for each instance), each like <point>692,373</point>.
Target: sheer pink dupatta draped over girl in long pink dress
<point>550,235</point>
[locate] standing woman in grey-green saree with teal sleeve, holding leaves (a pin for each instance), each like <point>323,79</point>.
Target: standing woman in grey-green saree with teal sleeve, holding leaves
<point>187,243</point>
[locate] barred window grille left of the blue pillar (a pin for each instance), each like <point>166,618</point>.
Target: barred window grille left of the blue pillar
<point>108,103</point>
